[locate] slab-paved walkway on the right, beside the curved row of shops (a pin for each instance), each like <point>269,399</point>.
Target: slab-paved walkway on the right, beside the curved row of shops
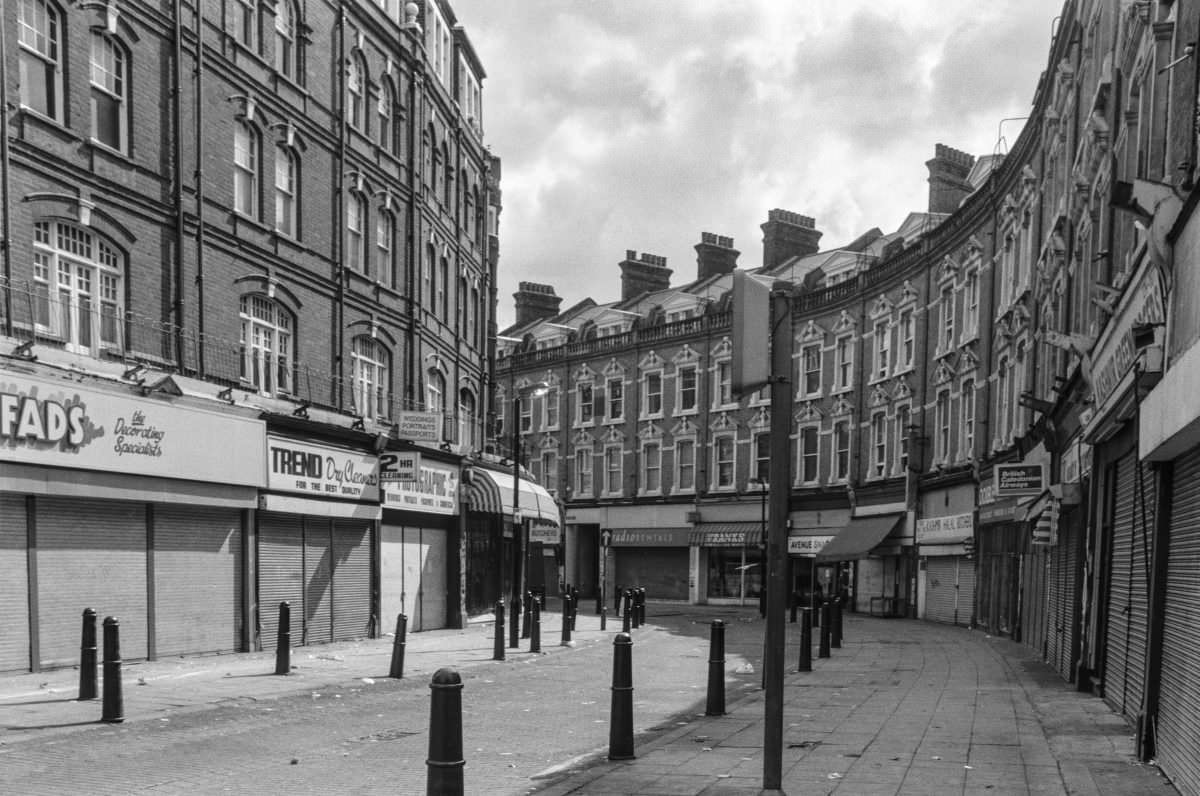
<point>903,708</point>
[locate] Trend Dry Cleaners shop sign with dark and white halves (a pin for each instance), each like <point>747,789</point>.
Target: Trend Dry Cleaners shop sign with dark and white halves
<point>321,471</point>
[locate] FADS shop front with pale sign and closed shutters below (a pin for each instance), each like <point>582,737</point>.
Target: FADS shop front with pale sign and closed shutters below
<point>128,501</point>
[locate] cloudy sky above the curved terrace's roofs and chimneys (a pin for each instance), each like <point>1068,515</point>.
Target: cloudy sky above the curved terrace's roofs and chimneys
<point>641,124</point>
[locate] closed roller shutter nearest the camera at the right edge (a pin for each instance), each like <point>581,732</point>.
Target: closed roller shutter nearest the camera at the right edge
<point>1179,711</point>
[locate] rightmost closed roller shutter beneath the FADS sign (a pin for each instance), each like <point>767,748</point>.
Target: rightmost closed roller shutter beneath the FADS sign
<point>197,579</point>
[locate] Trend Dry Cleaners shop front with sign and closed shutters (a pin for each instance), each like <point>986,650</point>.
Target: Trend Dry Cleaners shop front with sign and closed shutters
<point>316,542</point>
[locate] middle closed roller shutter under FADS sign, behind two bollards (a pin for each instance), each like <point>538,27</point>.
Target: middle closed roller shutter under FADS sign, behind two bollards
<point>91,554</point>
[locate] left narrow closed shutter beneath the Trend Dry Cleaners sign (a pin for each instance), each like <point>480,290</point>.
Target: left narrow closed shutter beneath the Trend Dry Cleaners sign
<point>280,576</point>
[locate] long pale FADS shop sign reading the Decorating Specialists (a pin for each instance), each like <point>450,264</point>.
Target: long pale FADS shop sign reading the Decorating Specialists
<point>64,424</point>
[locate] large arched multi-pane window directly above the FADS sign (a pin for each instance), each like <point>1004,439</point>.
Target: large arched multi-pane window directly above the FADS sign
<point>80,286</point>
